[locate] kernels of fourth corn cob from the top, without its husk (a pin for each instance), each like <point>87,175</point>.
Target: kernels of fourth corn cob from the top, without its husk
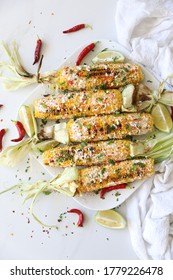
<point>88,154</point>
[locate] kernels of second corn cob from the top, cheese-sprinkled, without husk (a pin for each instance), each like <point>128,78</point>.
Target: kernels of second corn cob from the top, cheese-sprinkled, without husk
<point>86,103</point>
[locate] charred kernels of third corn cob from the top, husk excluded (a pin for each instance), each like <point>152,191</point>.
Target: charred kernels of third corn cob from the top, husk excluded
<point>109,127</point>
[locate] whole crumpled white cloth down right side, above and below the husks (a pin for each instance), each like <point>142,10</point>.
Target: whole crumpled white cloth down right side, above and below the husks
<point>145,28</point>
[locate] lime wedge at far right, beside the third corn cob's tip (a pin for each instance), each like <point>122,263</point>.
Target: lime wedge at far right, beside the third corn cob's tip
<point>161,118</point>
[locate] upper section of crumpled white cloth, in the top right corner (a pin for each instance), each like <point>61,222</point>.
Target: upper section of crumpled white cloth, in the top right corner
<point>145,27</point>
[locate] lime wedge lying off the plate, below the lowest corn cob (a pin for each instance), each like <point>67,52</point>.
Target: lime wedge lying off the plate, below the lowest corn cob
<point>110,219</point>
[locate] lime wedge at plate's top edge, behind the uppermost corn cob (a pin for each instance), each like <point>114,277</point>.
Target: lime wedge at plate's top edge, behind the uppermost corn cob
<point>108,57</point>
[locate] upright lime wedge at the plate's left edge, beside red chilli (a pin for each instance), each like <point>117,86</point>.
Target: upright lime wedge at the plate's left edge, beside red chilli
<point>27,118</point>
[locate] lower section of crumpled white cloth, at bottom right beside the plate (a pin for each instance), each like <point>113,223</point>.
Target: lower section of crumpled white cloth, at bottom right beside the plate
<point>150,215</point>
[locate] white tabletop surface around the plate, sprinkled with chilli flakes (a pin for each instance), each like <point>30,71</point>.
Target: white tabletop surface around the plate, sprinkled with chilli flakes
<point>20,236</point>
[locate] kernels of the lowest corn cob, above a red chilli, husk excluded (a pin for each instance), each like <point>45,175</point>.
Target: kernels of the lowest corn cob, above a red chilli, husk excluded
<point>98,177</point>
